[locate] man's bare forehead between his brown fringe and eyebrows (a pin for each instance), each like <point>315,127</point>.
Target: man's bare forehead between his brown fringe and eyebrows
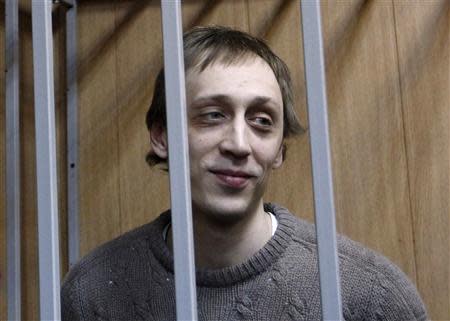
<point>246,78</point>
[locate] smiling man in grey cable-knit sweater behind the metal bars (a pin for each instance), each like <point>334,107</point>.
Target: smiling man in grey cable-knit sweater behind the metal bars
<point>255,261</point>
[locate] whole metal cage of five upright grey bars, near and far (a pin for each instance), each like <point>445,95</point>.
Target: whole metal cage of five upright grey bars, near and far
<point>48,229</point>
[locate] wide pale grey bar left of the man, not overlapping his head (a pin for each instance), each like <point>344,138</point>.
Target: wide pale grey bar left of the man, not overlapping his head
<point>49,271</point>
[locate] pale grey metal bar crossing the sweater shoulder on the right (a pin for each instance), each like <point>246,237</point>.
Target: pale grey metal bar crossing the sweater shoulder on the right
<point>321,160</point>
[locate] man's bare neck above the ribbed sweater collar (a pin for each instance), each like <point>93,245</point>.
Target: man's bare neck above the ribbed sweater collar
<point>219,245</point>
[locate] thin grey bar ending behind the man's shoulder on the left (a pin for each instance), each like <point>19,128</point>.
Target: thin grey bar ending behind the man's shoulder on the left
<point>72,134</point>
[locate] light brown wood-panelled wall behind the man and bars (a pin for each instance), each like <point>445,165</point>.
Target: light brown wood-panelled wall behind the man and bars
<point>388,92</point>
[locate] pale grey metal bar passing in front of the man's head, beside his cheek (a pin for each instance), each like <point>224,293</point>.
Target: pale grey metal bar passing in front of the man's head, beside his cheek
<point>180,189</point>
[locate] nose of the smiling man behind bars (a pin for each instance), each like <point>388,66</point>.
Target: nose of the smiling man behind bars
<point>236,140</point>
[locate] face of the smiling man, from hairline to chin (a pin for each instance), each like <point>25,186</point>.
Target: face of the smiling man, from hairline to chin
<point>235,118</point>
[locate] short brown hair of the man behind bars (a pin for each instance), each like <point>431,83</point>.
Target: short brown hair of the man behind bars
<point>205,45</point>
